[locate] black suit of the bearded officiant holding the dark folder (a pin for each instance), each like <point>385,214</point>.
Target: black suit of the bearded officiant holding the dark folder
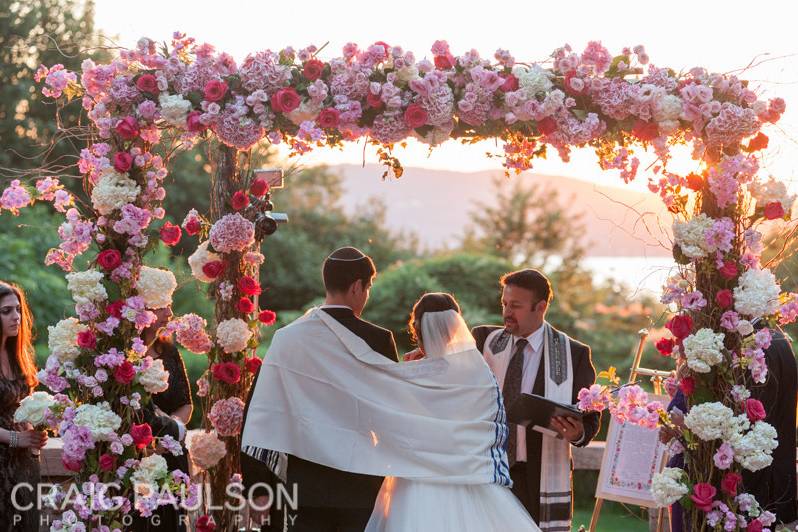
<point>526,477</point>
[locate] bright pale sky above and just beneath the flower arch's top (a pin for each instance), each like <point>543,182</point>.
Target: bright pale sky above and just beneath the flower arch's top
<point>722,37</point>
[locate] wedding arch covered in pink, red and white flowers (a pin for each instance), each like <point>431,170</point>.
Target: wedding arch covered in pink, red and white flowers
<point>144,100</point>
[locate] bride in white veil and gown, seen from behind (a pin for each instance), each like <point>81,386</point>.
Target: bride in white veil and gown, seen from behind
<point>405,504</point>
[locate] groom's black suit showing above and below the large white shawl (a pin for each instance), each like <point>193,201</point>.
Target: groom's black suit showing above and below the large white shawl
<point>329,499</point>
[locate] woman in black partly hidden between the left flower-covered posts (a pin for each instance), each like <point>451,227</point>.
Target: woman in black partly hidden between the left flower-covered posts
<point>175,402</point>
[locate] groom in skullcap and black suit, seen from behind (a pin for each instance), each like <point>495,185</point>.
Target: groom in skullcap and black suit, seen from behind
<point>329,499</point>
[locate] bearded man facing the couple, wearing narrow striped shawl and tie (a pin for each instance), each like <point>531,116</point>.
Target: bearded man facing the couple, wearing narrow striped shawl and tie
<point>527,355</point>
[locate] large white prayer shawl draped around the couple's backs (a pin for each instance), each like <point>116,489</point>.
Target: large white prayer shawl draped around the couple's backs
<point>325,396</point>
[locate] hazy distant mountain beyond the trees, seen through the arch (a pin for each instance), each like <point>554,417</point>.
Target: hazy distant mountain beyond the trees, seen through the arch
<point>436,205</point>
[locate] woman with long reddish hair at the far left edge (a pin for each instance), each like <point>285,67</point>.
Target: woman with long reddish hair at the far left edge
<point>19,443</point>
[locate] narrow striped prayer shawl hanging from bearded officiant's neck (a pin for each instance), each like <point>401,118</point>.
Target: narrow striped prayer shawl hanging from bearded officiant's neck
<point>555,468</point>
